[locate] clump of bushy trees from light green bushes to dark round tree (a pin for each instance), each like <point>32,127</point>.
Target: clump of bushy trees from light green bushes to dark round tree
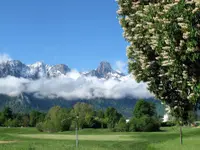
<point>83,116</point>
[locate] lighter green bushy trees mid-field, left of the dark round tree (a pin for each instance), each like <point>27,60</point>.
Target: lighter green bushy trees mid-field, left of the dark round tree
<point>82,115</point>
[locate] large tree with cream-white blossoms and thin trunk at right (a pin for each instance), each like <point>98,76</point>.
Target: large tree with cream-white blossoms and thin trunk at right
<point>164,50</point>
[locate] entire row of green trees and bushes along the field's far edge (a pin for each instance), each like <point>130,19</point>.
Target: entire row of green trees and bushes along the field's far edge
<point>83,115</point>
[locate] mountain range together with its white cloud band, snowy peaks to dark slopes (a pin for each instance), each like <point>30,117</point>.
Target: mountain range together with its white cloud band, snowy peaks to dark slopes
<point>70,87</point>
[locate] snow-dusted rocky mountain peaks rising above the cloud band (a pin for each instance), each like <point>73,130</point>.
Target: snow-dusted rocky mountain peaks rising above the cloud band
<point>41,70</point>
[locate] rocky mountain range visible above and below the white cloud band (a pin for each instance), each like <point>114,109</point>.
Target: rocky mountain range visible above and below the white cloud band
<point>24,102</point>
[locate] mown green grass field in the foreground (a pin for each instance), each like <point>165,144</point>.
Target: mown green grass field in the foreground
<point>91,139</point>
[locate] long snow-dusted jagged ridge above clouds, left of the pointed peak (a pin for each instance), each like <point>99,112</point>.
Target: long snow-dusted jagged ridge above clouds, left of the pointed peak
<point>34,71</point>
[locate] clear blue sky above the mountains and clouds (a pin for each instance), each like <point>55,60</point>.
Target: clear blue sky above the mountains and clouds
<point>74,32</point>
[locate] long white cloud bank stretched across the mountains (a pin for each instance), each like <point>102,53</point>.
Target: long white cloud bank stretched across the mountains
<point>75,86</point>
